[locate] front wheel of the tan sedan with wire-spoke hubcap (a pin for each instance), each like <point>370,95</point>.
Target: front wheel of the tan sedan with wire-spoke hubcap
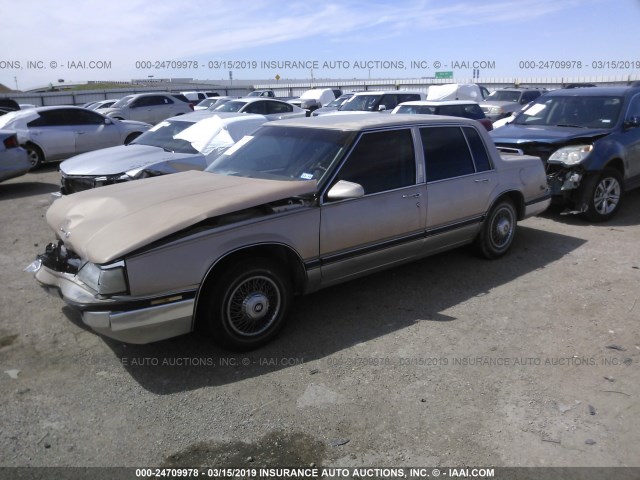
<point>248,304</point>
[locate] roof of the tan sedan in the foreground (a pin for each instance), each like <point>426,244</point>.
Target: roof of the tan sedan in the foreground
<point>365,121</point>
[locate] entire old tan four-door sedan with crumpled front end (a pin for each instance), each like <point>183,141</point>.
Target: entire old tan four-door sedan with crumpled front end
<point>301,205</point>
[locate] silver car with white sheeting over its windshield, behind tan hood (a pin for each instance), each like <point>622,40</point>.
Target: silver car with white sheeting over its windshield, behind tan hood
<point>186,142</point>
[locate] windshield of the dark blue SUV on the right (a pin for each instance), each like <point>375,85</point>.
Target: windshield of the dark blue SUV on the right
<point>573,111</point>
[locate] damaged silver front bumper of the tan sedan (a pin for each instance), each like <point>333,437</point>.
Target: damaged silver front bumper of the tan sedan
<point>128,319</point>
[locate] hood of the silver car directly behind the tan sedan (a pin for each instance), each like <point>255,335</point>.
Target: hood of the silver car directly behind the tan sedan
<point>125,158</point>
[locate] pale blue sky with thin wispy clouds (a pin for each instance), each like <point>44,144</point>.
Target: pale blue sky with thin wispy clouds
<point>43,41</point>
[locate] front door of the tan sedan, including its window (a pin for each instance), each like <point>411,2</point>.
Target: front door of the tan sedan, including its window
<point>384,226</point>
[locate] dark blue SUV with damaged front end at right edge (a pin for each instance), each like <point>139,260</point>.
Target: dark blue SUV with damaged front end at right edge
<point>589,141</point>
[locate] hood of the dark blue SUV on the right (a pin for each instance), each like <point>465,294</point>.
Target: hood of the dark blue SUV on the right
<point>514,134</point>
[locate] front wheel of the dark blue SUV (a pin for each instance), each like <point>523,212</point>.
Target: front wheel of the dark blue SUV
<point>603,195</point>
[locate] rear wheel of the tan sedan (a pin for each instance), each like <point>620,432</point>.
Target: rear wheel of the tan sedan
<point>498,230</point>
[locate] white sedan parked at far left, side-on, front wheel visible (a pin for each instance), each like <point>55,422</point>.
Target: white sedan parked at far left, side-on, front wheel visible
<point>52,133</point>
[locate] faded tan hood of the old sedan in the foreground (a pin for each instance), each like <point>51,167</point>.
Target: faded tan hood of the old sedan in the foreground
<point>104,224</point>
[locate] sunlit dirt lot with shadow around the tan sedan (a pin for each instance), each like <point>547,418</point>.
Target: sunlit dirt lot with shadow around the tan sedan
<point>531,360</point>
